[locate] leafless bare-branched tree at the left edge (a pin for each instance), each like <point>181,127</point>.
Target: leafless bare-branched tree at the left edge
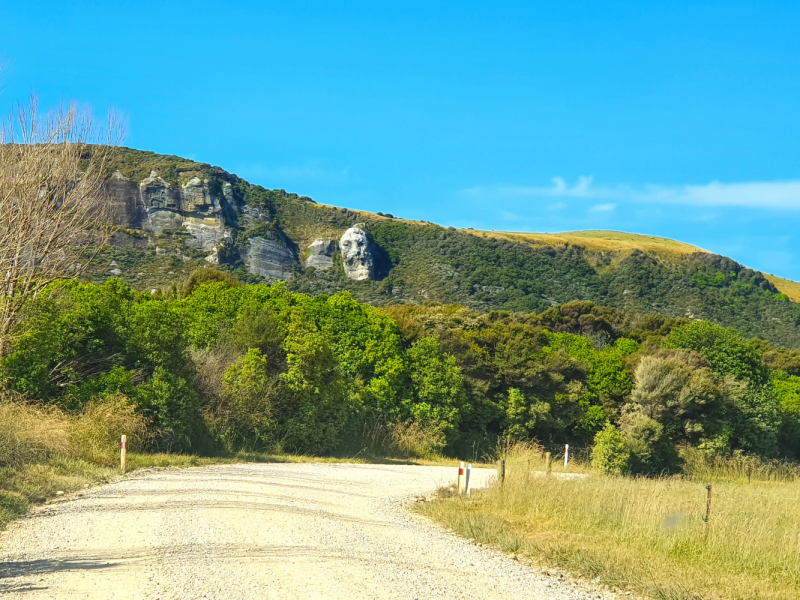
<point>54,215</point>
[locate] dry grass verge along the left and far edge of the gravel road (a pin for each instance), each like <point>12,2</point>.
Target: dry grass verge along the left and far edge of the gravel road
<point>44,450</point>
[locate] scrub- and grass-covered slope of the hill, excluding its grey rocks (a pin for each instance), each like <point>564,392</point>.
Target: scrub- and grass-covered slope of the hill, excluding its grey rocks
<point>423,262</point>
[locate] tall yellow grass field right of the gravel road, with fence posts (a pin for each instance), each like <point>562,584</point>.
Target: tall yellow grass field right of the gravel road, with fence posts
<point>643,534</point>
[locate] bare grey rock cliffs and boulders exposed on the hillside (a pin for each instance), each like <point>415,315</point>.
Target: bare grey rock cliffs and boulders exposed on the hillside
<point>219,227</point>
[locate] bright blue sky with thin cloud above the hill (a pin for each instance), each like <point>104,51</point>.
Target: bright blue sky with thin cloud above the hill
<point>677,119</point>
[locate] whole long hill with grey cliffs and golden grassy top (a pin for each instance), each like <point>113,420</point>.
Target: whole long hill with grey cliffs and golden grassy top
<point>179,214</point>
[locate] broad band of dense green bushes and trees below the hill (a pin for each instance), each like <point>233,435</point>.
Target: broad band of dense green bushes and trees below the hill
<point>260,367</point>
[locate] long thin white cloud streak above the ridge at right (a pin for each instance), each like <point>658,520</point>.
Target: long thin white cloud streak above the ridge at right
<point>752,194</point>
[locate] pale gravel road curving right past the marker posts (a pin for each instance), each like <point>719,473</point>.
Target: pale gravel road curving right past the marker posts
<point>253,531</point>
